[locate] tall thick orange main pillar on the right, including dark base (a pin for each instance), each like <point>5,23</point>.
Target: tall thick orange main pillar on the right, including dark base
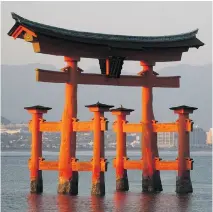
<point>151,181</point>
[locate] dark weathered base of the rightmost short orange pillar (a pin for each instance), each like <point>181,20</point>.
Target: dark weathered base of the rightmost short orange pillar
<point>184,184</point>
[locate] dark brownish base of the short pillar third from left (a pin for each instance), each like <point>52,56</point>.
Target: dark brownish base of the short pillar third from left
<point>98,188</point>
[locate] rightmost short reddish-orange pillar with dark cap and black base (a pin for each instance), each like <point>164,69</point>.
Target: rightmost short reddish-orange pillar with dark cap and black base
<point>183,181</point>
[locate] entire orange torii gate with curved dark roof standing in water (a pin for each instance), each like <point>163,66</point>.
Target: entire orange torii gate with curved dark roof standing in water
<point>111,51</point>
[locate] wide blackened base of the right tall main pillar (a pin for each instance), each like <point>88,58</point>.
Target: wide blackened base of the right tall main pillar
<point>152,184</point>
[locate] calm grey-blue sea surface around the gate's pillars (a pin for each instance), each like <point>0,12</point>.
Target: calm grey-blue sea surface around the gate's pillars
<point>15,195</point>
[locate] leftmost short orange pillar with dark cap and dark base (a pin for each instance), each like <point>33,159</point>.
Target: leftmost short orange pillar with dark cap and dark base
<point>36,181</point>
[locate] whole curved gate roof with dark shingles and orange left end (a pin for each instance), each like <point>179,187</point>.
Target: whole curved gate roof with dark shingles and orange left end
<point>57,41</point>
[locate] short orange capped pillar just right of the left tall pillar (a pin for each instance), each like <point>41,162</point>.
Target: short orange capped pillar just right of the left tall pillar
<point>98,180</point>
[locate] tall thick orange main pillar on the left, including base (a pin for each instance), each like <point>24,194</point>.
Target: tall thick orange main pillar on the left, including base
<point>68,179</point>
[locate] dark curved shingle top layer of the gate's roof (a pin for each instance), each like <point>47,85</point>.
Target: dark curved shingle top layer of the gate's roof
<point>114,40</point>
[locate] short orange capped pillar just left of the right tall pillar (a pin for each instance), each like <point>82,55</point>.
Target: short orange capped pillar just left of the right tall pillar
<point>122,183</point>
